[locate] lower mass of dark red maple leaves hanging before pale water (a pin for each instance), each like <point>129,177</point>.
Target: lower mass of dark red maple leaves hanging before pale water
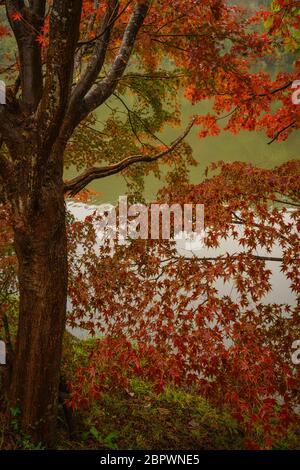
<point>165,316</point>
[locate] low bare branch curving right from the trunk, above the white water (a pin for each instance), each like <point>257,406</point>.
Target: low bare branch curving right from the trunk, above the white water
<point>77,184</point>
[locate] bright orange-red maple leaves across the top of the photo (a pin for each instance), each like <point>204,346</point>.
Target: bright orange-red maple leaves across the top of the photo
<point>217,43</point>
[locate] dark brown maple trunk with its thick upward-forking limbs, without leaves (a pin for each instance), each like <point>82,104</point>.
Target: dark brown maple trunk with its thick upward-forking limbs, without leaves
<point>35,128</point>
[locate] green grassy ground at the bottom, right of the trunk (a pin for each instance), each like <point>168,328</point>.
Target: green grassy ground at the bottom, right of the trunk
<point>145,420</point>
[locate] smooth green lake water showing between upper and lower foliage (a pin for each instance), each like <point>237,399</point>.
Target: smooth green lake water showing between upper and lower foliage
<point>251,147</point>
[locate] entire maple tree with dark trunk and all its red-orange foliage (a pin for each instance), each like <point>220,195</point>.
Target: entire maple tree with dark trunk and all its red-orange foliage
<point>202,322</point>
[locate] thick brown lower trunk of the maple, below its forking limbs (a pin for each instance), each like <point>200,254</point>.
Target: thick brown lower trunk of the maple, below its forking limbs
<point>41,247</point>
